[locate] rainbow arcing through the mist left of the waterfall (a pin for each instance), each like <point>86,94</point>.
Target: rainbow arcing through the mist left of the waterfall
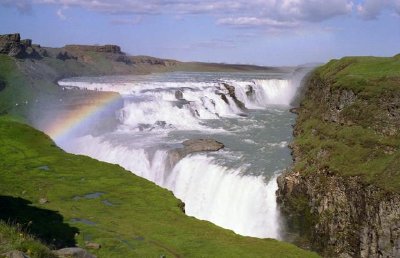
<point>67,122</point>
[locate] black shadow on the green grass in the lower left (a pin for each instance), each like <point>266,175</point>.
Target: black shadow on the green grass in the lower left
<point>46,225</point>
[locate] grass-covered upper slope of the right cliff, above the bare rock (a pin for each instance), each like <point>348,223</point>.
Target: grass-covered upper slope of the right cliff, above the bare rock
<point>358,146</point>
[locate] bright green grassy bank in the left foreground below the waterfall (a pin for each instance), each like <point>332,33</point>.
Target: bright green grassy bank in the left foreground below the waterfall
<point>143,221</point>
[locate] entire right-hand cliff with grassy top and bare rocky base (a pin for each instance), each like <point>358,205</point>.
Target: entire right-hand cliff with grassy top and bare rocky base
<point>343,192</point>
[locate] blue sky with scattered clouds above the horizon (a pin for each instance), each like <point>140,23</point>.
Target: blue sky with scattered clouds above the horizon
<point>261,32</point>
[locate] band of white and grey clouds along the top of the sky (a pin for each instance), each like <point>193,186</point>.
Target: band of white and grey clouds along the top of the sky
<point>273,14</point>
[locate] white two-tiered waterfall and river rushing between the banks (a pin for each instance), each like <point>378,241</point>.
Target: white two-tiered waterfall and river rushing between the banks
<point>248,112</point>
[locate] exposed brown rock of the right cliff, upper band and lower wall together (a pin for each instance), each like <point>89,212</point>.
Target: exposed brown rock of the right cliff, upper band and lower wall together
<point>342,216</point>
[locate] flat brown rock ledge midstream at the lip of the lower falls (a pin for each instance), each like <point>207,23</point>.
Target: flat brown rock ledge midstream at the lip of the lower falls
<point>193,146</point>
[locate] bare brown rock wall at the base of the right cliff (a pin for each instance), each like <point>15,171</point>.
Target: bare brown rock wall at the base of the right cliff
<point>347,217</point>
